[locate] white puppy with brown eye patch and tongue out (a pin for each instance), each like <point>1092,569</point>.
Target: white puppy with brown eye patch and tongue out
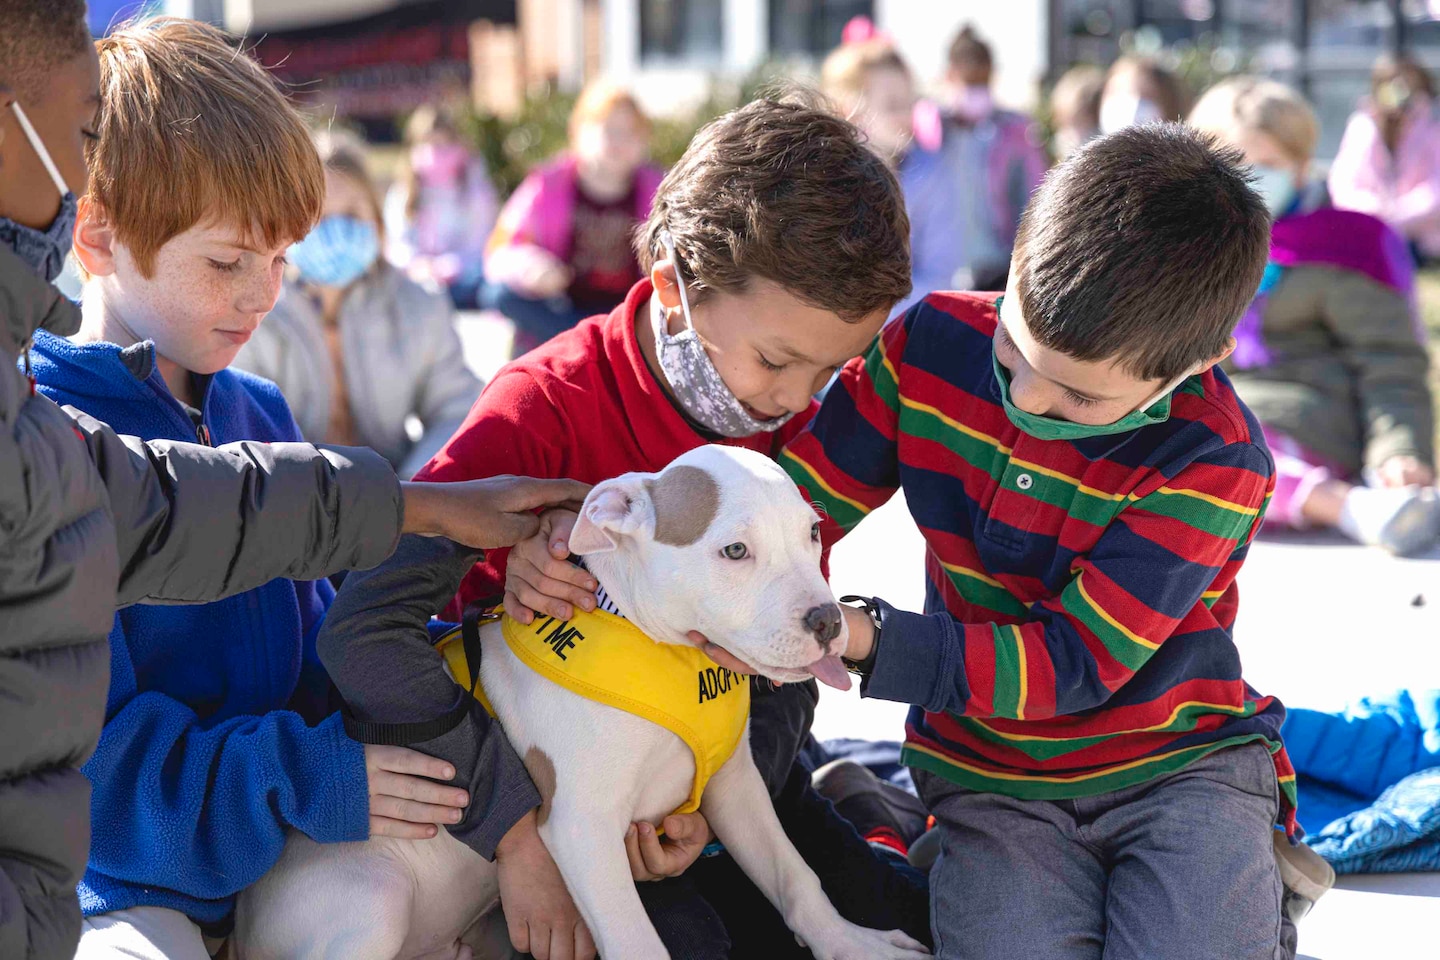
<point>722,543</point>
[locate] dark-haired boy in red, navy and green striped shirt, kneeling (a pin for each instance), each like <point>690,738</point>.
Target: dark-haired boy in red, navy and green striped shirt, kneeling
<point>1088,484</point>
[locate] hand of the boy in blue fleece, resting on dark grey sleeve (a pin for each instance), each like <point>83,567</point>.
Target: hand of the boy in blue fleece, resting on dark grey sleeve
<point>405,801</point>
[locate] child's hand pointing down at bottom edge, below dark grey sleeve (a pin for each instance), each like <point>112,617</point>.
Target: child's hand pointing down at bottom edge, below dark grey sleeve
<point>541,915</point>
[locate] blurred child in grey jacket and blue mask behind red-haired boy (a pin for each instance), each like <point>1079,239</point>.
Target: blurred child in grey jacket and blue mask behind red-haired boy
<point>355,345</point>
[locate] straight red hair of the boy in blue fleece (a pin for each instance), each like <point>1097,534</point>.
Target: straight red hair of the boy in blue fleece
<point>194,130</point>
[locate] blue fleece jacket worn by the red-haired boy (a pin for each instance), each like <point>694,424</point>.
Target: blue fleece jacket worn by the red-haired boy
<point>218,729</point>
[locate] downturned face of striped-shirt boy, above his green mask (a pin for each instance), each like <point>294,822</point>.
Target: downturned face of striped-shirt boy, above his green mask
<point>1049,384</point>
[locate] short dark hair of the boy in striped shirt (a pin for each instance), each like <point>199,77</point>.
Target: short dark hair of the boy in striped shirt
<point>1143,248</point>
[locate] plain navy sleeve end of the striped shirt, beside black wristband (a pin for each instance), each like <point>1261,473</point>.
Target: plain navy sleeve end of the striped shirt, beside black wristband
<point>921,661</point>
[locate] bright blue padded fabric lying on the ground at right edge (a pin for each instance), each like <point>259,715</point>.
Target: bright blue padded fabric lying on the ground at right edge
<point>1370,782</point>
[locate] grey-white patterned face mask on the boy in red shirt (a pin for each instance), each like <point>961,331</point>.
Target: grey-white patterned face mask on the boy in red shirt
<point>692,375</point>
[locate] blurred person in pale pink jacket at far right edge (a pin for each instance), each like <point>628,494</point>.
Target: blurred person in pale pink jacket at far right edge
<point>1389,163</point>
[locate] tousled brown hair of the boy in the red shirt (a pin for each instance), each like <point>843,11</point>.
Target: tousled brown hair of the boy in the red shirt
<point>786,191</point>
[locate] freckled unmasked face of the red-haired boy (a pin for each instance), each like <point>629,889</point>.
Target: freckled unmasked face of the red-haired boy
<point>207,296</point>
